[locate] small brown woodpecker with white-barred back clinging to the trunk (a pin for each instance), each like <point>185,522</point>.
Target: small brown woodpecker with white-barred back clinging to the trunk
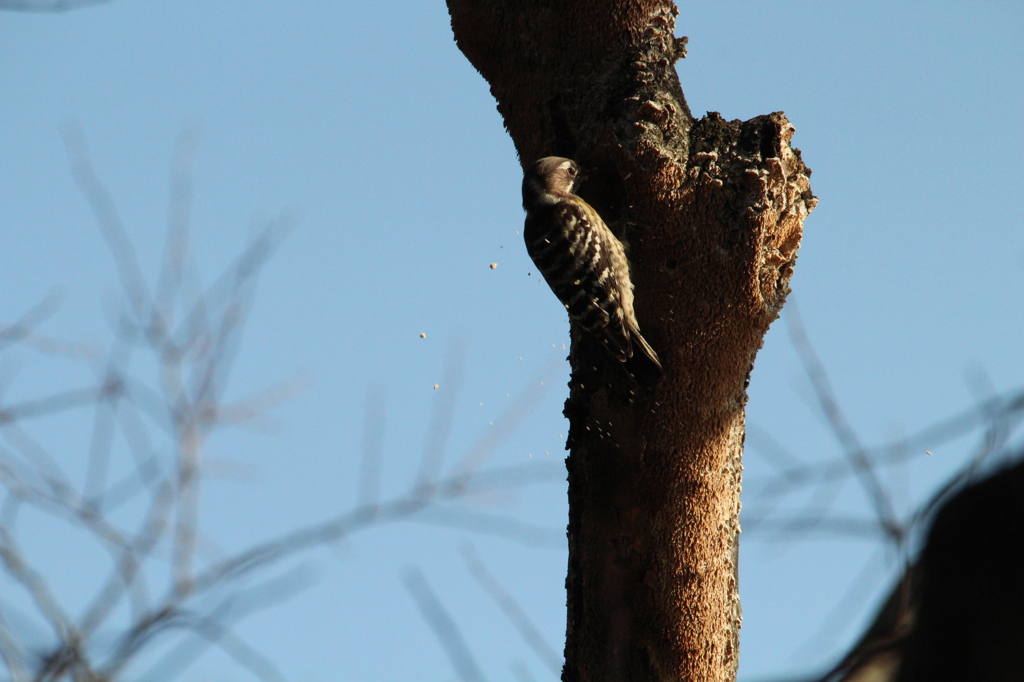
<point>584,264</point>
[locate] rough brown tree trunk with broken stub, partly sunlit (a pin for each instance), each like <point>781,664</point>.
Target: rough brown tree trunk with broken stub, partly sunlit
<point>712,212</point>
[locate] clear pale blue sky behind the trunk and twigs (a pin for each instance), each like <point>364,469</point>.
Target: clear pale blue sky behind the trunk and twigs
<point>365,122</point>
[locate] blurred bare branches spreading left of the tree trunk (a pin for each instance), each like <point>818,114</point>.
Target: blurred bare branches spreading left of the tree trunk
<point>140,497</point>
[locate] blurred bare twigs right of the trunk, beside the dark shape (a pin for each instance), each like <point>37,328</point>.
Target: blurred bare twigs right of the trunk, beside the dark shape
<point>998,417</point>
